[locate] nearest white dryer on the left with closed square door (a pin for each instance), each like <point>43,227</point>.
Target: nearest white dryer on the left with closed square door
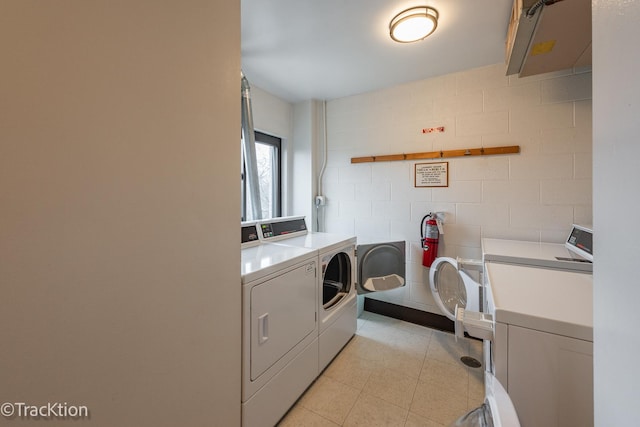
<point>279,327</point>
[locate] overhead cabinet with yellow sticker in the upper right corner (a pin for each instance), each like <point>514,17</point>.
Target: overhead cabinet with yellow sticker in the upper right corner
<point>548,37</point>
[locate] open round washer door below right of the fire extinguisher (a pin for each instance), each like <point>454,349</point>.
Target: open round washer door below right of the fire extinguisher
<point>447,286</point>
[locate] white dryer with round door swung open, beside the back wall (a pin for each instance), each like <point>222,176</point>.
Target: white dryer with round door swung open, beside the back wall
<point>377,267</point>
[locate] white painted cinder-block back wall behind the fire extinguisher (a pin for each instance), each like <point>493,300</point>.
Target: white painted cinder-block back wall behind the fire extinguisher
<point>535,195</point>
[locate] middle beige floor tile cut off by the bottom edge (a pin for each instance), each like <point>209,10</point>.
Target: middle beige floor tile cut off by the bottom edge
<point>370,411</point>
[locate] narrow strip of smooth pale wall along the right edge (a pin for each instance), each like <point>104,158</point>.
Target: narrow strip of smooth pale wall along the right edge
<point>616,127</point>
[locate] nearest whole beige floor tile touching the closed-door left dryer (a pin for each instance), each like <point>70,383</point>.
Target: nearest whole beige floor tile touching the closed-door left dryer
<point>330,399</point>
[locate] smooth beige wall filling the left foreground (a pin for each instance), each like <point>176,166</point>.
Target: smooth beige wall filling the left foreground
<point>119,238</point>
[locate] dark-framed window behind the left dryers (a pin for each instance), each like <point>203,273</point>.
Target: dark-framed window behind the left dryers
<point>268,156</point>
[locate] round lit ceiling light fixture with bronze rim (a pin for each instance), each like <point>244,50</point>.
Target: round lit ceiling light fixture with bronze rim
<point>413,24</point>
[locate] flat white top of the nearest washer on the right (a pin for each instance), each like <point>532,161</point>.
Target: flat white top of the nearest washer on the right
<point>558,302</point>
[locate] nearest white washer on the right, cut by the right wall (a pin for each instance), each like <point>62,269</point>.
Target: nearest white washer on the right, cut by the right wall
<point>542,344</point>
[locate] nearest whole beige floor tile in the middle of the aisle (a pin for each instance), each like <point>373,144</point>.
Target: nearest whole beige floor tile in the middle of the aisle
<point>391,386</point>
